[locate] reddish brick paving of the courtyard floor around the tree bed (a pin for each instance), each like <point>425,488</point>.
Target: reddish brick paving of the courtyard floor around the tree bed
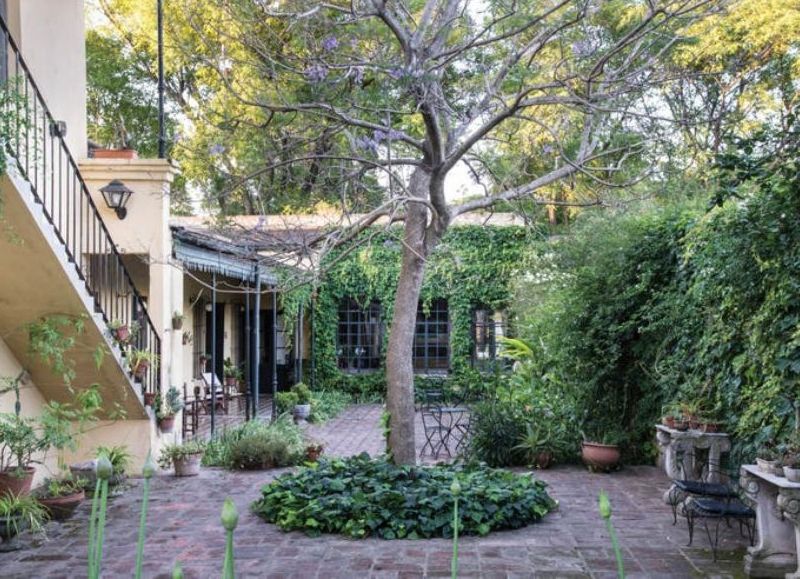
<point>184,525</point>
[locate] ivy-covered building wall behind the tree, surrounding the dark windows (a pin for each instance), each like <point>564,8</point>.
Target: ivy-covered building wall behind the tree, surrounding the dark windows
<point>473,266</point>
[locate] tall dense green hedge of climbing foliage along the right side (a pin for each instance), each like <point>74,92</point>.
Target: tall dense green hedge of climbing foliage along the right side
<point>635,311</point>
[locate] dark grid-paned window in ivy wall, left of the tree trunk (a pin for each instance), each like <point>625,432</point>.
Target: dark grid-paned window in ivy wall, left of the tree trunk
<point>359,336</point>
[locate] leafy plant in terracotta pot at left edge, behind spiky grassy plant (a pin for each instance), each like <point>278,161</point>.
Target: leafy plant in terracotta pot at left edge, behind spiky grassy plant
<point>19,441</point>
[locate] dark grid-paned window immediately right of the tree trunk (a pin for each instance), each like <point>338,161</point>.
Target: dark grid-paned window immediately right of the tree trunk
<point>432,338</point>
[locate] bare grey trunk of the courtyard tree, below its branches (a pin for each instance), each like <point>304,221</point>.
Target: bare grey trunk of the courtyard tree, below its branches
<point>399,357</point>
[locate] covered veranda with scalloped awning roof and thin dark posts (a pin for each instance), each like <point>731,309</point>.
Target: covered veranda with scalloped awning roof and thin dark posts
<point>234,343</point>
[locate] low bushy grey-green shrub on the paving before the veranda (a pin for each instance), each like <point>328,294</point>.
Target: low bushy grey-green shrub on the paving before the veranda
<point>257,445</point>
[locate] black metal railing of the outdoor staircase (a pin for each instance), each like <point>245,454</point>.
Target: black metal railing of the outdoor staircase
<point>34,143</point>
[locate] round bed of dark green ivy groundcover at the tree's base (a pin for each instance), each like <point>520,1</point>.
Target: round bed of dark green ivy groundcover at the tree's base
<point>363,497</point>
